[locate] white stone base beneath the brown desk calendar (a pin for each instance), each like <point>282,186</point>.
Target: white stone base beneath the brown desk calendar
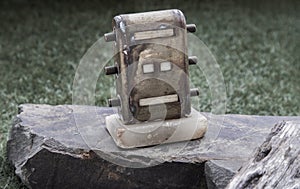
<point>156,132</point>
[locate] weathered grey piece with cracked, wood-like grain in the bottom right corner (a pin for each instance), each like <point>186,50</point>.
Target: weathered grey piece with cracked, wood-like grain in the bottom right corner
<point>276,163</point>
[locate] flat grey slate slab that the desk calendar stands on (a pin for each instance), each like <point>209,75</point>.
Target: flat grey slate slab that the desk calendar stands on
<point>68,147</point>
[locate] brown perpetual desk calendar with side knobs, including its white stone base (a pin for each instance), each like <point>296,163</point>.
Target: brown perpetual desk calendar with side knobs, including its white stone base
<point>151,68</point>
